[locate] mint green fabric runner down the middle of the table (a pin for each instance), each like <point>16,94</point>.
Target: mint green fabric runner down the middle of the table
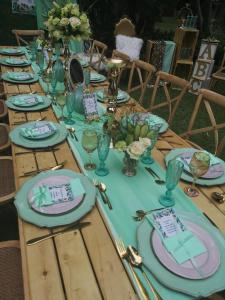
<point>126,198</point>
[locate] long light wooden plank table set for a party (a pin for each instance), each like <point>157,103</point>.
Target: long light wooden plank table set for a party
<point>83,264</point>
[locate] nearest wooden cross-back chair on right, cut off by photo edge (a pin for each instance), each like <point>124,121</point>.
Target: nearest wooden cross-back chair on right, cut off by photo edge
<point>209,100</point>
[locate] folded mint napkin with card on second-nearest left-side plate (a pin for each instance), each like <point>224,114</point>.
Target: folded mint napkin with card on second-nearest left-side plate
<point>38,130</point>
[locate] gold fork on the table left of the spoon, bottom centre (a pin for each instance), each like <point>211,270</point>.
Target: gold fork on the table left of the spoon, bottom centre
<point>124,255</point>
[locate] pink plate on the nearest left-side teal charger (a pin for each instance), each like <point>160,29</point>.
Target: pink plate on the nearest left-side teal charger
<point>58,208</point>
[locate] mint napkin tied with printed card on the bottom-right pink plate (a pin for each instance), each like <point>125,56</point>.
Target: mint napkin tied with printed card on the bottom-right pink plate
<point>180,242</point>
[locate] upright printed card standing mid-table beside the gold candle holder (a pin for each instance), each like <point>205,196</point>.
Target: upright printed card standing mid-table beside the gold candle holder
<point>90,106</point>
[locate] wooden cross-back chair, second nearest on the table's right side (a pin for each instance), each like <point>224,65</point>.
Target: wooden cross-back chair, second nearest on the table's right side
<point>167,82</point>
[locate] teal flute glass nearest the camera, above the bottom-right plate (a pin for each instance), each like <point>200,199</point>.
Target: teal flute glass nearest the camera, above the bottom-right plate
<point>173,174</point>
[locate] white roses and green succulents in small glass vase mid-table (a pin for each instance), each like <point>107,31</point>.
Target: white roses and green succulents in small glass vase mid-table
<point>132,135</point>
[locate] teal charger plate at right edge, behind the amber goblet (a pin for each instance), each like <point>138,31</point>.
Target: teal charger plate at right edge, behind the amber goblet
<point>187,177</point>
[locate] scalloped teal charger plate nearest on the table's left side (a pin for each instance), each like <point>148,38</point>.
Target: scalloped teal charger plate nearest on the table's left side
<point>28,214</point>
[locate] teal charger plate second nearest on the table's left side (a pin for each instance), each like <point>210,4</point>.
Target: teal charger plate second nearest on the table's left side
<point>59,136</point>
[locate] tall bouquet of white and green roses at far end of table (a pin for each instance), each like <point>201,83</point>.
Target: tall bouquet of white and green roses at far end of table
<point>68,22</point>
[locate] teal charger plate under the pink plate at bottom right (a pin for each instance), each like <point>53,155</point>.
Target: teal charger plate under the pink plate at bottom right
<point>195,288</point>
